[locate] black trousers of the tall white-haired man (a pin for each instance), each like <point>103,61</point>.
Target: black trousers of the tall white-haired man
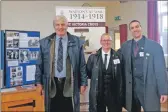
<point>60,103</point>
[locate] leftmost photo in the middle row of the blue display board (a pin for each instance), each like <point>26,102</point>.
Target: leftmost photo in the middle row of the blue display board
<point>12,54</point>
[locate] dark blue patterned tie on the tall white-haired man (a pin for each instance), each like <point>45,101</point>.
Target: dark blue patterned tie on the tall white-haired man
<point>60,56</point>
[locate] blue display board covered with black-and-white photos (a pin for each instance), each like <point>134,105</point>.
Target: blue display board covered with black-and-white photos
<point>22,50</point>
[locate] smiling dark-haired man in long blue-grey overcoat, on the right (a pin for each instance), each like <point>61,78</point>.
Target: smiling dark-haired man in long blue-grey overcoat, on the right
<point>145,75</point>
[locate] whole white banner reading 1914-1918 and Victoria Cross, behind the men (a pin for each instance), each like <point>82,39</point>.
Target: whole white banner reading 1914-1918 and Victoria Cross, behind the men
<point>89,24</point>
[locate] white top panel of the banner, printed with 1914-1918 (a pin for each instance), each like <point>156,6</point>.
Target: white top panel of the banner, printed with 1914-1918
<point>82,14</point>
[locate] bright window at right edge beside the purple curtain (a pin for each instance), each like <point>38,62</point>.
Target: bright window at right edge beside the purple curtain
<point>163,25</point>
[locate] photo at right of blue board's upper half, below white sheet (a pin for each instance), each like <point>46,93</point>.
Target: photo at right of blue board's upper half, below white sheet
<point>33,42</point>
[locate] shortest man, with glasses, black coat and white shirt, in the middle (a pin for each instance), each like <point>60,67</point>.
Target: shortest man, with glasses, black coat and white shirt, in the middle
<point>103,68</point>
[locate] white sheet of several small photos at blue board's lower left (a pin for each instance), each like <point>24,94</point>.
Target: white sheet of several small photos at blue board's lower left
<point>16,76</point>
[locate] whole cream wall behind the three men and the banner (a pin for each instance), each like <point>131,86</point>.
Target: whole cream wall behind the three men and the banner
<point>38,15</point>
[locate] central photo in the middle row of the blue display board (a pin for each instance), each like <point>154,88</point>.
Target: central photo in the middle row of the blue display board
<point>23,55</point>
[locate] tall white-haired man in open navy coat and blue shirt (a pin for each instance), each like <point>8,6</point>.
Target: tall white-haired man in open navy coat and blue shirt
<point>61,69</point>
